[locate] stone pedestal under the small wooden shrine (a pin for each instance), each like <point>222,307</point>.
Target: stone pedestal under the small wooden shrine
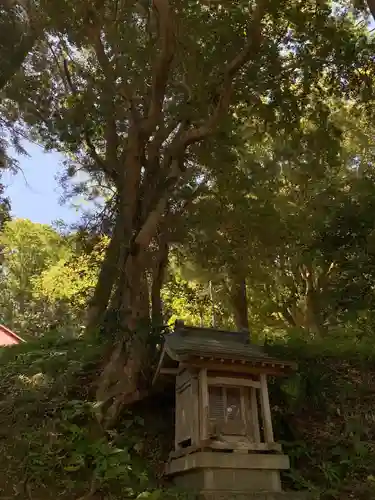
<point>218,475</point>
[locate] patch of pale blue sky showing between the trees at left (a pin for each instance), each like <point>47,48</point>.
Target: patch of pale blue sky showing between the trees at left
<point>34,191</point>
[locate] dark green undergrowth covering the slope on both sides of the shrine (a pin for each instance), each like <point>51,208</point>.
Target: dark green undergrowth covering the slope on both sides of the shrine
<point>52,446</point>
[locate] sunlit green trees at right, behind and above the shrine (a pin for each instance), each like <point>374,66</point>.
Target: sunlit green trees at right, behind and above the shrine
<point>295,230</point>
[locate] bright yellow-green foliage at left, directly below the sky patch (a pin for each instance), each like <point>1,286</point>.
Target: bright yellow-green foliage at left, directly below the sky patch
<point>30,254</point>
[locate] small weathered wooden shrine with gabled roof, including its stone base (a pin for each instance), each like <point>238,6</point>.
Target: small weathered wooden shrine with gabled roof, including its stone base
<point>224,441</point>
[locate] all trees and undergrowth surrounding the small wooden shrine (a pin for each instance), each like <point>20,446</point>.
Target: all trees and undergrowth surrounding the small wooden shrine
<point>228,159</point>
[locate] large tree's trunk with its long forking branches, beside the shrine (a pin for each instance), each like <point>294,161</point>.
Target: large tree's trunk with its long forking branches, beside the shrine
<point>145,175</point>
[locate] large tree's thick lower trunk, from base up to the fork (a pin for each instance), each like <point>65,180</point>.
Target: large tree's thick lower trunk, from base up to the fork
<point>121,381</point>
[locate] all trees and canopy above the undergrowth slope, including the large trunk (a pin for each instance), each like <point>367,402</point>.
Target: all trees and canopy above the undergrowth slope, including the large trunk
<point>227,148</point>
